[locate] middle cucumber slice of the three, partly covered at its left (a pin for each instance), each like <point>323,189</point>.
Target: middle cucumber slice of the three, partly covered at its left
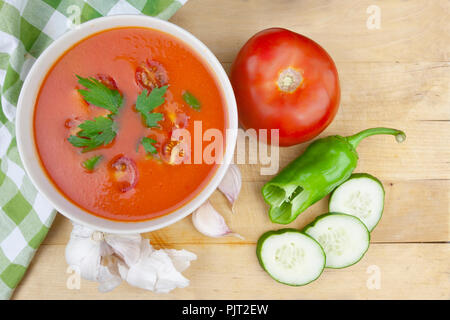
<point>344,238</point>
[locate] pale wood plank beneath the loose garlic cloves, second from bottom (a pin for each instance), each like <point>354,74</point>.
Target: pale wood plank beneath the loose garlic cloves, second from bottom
<point>415,211</point>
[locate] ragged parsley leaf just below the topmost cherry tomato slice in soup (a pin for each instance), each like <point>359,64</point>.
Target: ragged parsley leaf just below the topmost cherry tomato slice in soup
<point>145,104</point>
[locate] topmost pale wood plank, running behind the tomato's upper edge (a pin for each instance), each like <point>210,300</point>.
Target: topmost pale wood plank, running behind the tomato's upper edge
<point>410,30</point>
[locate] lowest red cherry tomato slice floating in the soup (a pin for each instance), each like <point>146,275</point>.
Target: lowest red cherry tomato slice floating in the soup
<point>124,172</point>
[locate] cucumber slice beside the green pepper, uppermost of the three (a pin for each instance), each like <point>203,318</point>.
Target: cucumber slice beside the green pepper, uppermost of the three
<point>362,196</point>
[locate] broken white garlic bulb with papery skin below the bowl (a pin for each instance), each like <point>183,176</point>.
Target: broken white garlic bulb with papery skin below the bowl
<point>109,258</point>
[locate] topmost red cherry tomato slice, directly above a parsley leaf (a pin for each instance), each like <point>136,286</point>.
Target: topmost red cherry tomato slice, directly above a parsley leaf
<point>151,75</point>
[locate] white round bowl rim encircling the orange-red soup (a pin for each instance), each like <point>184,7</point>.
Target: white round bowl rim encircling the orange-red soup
<point>25,133</point>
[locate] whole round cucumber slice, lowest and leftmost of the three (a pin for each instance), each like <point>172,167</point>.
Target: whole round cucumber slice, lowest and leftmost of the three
<point>290,256</point>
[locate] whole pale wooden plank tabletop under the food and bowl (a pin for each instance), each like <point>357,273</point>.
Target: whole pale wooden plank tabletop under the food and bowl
<point>396,76</point>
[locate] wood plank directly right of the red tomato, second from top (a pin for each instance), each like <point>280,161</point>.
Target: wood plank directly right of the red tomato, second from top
<point>393,90</point>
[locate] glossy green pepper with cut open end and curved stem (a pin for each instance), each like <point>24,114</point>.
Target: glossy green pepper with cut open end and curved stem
<point>324,165</point>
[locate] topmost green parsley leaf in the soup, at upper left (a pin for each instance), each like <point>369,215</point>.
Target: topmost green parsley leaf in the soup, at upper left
<point>100,95</point>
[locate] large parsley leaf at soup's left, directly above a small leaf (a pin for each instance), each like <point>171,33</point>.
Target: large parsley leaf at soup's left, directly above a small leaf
<point>94,133</point>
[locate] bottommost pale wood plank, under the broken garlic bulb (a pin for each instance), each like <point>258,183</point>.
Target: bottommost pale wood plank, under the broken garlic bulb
<point>411,271</point>
